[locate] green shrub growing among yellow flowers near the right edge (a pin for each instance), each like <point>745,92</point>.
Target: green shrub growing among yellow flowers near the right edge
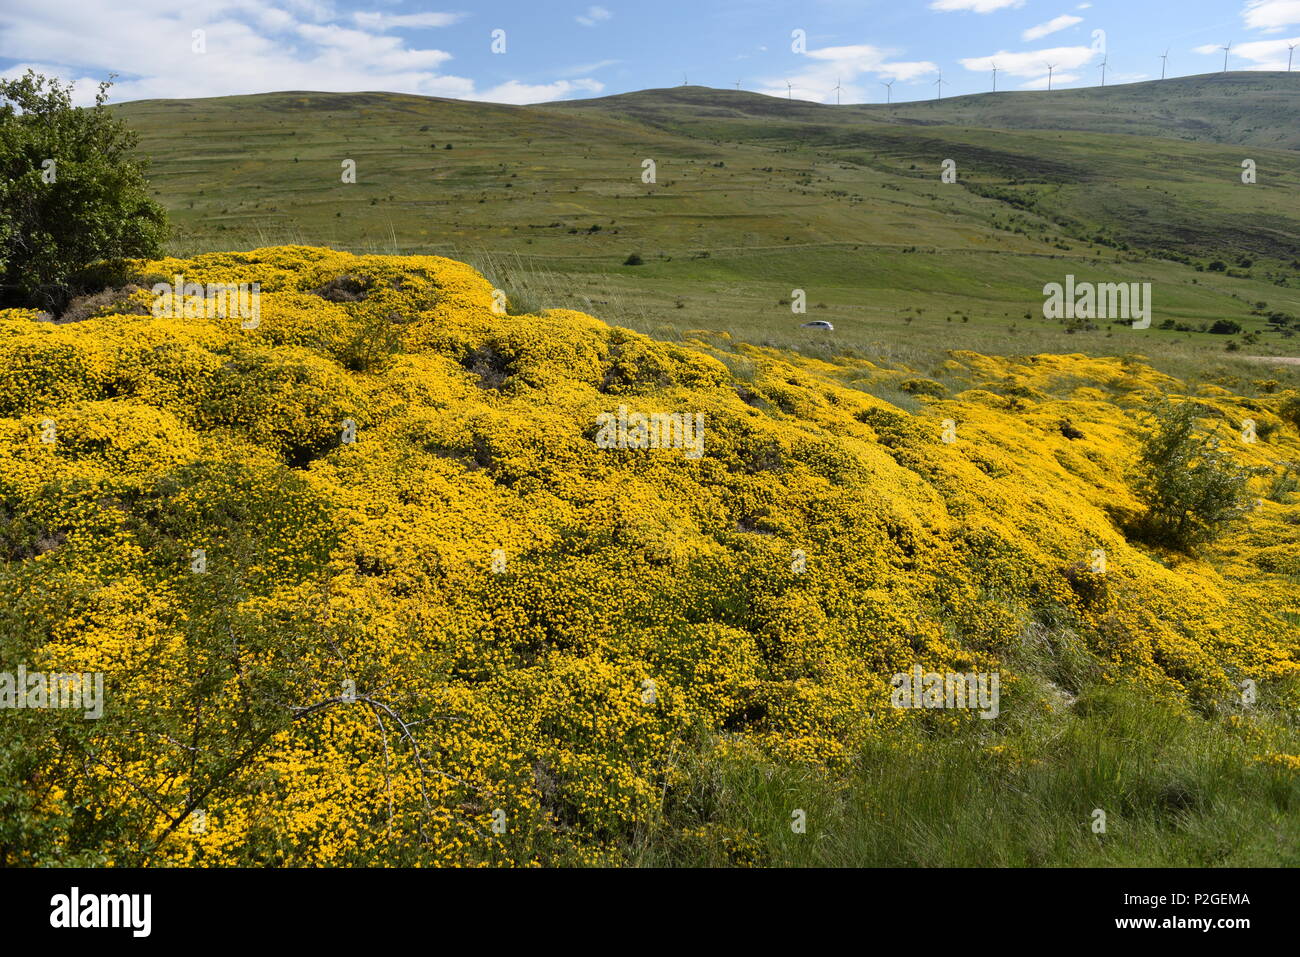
<point>1191,487</point>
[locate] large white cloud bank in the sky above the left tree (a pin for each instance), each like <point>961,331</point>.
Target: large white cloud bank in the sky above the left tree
<point>252,47</point>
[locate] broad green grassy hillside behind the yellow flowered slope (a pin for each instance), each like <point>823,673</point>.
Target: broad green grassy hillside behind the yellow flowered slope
<point>757,197</point>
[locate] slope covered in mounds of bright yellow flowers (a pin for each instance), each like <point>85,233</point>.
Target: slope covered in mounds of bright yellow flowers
<point>366,587</point>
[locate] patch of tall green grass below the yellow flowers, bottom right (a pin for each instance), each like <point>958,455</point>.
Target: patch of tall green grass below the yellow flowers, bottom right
<point>1178,790</point>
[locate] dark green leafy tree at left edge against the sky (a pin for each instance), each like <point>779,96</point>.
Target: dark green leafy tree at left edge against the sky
<point>72,192</point>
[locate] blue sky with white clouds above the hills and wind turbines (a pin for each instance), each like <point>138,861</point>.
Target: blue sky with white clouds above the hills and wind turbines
<point>574,50</point>
